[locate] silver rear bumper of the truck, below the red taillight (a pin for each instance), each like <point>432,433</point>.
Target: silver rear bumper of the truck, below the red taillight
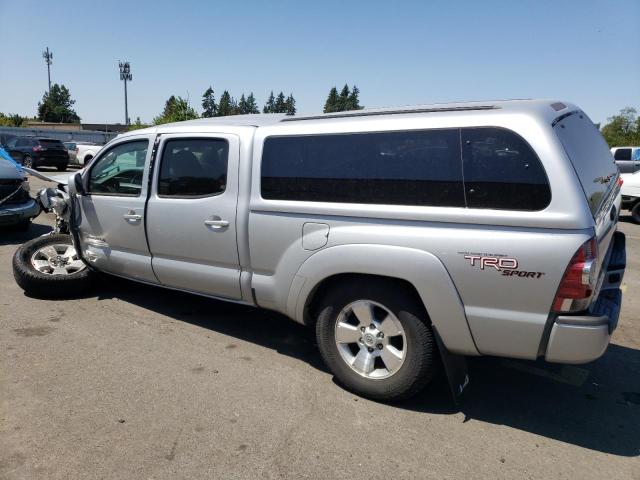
<point>584,338</point>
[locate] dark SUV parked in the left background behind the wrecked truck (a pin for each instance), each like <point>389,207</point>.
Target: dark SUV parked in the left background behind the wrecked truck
<point>34,152</point>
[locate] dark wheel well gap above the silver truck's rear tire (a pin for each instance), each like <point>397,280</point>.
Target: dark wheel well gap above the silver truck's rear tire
<point>320,290</point>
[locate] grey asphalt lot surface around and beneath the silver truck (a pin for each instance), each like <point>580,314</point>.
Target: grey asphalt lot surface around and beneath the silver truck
<point>139,382</point>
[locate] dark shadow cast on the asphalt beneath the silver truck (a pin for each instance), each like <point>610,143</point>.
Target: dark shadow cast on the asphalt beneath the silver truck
<point>594,406</point>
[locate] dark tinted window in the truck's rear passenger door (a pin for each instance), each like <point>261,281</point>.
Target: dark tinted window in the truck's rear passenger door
<point>193,167</point>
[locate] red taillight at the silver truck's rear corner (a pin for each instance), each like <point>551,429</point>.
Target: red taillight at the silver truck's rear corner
<point>579,280</point>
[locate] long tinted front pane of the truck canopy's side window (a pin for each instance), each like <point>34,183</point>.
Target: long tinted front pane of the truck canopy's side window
<point>393,168</point>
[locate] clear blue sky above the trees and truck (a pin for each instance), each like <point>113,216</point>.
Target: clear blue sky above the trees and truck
<point>397,53</point>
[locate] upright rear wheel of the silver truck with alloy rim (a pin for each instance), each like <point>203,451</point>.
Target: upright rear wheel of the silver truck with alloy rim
<point>375,338</point>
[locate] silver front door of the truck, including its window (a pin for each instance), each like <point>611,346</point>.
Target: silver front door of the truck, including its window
<point>111,226</point>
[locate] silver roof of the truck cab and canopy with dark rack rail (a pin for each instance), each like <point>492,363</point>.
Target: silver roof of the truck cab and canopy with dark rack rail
<point>548,109</point>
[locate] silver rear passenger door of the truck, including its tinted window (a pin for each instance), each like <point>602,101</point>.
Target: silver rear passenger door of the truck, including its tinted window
<point>191,215</point>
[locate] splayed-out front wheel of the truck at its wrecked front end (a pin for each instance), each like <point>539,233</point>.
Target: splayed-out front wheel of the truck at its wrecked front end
<point>49,267</point>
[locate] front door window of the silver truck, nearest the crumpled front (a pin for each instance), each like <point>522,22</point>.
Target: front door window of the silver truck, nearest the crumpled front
<point>119,171</point>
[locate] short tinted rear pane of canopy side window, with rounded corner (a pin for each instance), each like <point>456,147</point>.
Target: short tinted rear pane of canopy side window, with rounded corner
<point>501,171</point>
